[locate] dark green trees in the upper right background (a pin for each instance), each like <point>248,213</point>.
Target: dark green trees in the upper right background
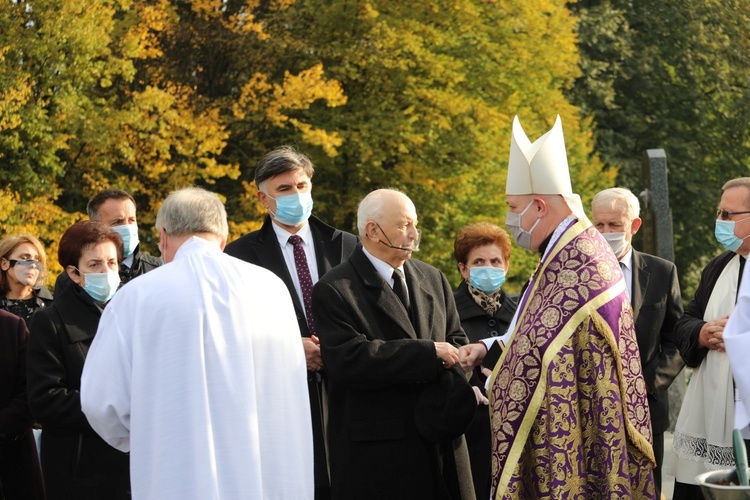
<point>672,75</point>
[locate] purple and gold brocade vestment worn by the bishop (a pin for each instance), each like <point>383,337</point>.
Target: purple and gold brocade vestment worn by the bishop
<point>570,417</point>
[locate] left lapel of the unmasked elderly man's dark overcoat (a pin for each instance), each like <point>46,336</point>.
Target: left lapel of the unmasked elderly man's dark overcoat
<point>381,294</point>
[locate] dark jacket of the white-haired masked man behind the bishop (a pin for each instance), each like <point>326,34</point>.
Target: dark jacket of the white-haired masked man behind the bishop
<point>657,305</point>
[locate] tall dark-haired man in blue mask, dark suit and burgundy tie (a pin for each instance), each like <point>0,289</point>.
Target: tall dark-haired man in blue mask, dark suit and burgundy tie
<point>284,181</point>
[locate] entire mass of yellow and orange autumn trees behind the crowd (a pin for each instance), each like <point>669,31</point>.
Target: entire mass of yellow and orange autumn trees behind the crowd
<point>154,95</point>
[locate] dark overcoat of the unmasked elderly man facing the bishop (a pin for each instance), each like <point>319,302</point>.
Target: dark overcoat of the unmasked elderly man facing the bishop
<point>378,362</point>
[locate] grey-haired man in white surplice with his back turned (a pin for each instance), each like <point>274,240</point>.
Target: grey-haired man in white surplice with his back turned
<point>197,370</point>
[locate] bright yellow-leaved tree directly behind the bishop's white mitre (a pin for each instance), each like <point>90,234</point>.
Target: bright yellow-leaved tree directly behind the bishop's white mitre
<point>431,89</point>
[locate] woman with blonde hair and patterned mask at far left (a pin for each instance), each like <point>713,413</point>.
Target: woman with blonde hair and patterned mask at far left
<point>23,266</point>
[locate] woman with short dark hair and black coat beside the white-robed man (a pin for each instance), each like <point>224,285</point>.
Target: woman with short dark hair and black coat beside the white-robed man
<point>76,462</point>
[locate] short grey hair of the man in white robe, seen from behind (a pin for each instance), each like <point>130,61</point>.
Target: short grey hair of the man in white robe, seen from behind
<point>193,210</point>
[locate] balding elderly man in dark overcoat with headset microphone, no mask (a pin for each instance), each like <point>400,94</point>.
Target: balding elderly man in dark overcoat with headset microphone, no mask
<point>389,333</point>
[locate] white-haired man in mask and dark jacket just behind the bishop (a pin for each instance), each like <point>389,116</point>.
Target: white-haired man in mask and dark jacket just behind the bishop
<point>657,305</point>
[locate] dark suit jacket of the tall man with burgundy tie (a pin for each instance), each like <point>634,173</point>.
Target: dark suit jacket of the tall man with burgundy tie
<point>332,247</point>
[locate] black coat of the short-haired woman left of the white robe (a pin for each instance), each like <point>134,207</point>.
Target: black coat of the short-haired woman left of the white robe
<point>76,462</point>
